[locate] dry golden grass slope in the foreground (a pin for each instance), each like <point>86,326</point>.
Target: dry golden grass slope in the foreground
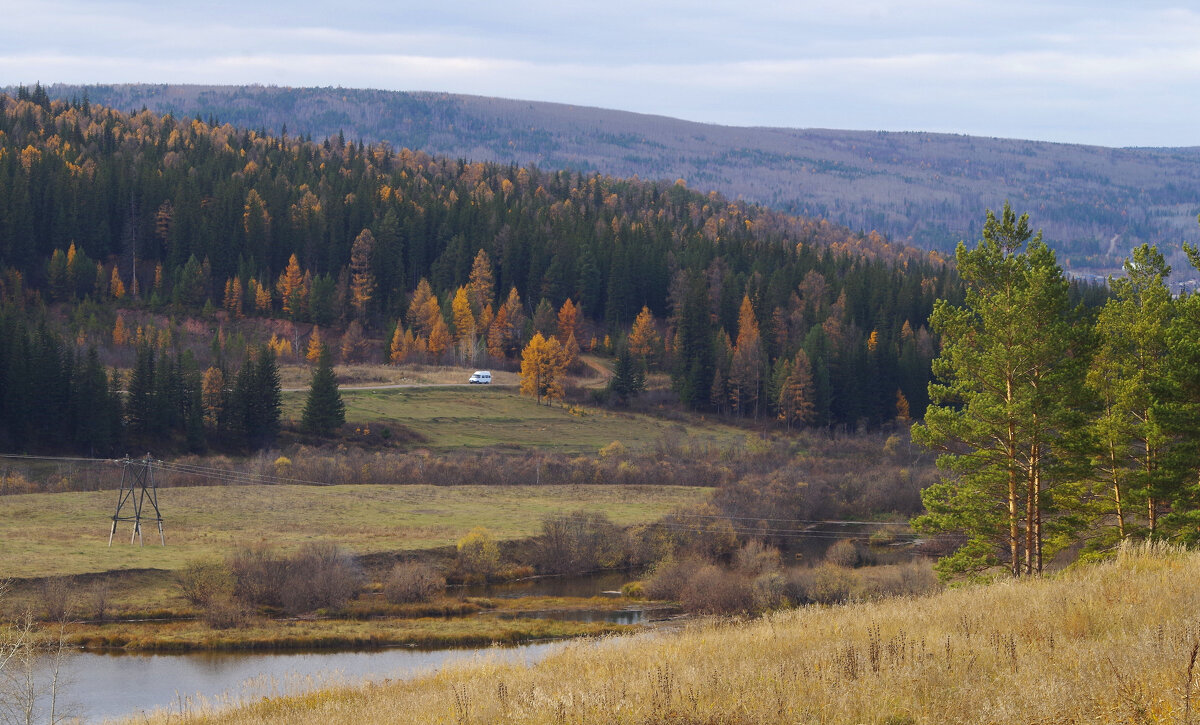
<point>1107,644</point>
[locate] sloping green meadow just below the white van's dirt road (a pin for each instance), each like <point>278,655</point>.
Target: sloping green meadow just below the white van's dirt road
<point>481,417</point>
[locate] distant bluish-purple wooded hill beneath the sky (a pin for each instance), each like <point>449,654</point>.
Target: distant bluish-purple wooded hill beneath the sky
<point>928,189</point>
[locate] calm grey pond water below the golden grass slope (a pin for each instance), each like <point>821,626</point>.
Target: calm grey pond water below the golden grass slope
<point>106,687</point>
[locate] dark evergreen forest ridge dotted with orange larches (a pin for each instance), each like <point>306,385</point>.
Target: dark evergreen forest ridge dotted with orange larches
<point>110,215</point>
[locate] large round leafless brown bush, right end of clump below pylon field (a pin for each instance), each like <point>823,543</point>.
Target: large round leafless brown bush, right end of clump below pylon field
<point>321,577</point>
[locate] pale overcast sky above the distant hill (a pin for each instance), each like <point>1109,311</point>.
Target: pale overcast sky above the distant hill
<point>1118,74</point>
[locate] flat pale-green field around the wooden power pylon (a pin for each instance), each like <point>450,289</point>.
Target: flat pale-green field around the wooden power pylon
<point>44,535</point>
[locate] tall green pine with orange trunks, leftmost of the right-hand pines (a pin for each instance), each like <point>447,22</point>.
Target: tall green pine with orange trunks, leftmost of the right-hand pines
<point>999,409</point>
